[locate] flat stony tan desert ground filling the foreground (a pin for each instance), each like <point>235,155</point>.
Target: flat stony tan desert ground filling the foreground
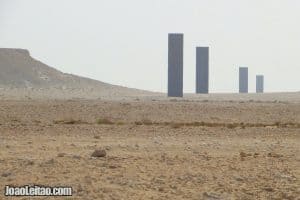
<point>151,153</point>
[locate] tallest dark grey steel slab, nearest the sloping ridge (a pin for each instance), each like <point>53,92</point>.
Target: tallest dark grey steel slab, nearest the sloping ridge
<point>175,65</point>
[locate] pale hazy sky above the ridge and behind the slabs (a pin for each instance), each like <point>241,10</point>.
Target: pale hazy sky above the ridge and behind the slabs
<point>124,42</point>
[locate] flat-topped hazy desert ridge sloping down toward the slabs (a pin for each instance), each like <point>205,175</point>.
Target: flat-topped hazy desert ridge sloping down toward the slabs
<point>18,70</point>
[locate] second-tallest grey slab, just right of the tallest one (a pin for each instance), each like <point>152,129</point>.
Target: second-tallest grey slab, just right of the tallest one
<point>202,70</point>
